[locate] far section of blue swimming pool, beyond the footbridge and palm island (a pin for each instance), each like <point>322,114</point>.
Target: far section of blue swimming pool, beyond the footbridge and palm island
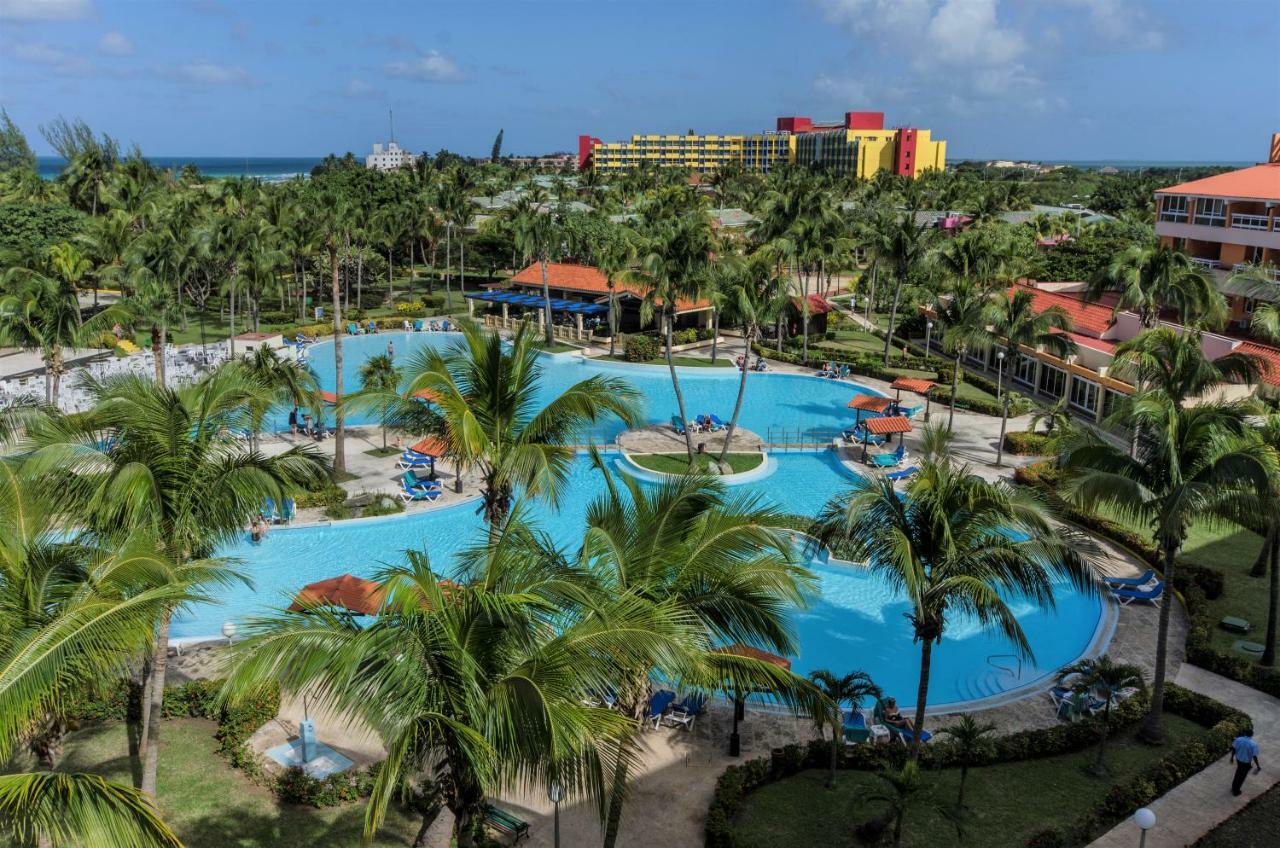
<point>793,402</point>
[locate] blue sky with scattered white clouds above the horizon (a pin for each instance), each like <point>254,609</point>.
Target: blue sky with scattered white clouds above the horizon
<point>999,79</point>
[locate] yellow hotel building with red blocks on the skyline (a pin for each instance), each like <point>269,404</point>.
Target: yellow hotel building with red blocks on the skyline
<point>860,145</point>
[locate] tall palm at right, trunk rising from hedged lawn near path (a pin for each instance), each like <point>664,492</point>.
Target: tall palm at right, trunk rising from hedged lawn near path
<point>1187,466</point>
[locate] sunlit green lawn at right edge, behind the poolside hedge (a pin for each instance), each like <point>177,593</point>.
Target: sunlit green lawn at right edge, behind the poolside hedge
<point>1229,550</point>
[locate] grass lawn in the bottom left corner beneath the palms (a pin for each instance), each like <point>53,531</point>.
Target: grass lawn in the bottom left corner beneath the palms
<point>211,805</point>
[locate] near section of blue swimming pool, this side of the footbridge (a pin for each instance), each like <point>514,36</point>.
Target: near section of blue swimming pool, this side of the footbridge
<point>854,623</point>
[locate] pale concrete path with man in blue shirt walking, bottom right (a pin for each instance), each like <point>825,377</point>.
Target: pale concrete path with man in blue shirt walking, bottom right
<point>1199,805</point>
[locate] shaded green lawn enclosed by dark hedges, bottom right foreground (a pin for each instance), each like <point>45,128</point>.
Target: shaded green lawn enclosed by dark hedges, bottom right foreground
<point>1008,804</point>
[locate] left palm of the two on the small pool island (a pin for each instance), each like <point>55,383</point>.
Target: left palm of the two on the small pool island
<point>673,263</point>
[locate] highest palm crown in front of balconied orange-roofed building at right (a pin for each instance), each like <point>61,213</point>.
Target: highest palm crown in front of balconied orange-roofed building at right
<point>1153,277</point>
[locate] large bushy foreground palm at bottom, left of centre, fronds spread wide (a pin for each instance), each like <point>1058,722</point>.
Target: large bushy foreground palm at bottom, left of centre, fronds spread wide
<point>477,681</point>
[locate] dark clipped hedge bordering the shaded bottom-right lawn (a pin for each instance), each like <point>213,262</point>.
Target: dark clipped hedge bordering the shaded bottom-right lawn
<point>1178,764</point>
